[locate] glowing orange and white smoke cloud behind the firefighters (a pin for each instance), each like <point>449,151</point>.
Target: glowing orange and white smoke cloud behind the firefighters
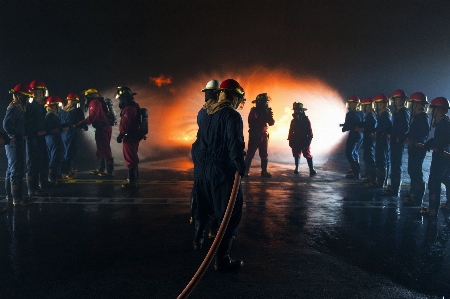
<point>173,109</point>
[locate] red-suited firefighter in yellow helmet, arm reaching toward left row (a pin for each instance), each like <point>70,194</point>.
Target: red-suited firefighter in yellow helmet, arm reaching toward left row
<point>103,130</point>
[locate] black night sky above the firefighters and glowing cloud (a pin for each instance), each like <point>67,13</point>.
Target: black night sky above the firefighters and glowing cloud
<point>357,47</point>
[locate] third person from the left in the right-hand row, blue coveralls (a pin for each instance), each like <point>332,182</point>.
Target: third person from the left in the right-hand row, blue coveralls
<point>382,144</point>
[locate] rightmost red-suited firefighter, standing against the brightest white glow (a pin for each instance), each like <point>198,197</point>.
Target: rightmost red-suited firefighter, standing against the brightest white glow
<point>300,137</point>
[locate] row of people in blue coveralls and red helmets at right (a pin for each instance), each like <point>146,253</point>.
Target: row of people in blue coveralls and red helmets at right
<point>384,134</point>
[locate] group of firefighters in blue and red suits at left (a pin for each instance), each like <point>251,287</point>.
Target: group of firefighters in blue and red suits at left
<point>42,136</point>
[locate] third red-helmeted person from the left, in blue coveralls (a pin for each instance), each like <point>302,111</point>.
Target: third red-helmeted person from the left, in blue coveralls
<point>53,139</point>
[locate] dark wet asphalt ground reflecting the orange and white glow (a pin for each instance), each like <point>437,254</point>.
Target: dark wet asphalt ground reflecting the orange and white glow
<point>300,237</point>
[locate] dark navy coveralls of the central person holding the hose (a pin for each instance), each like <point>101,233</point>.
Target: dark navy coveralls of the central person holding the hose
<point>218,153</point>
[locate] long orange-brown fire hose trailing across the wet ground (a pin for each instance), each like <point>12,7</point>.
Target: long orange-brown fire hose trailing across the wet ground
<point>215,245</point>
